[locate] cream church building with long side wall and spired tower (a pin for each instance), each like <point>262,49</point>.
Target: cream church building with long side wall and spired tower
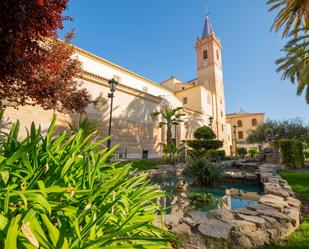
<point>136,98</point>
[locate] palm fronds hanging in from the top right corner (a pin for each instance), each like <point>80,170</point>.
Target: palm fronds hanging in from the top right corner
<point>293,18</point>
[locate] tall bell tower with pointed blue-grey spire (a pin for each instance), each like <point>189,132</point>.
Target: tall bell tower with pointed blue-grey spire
<point>210,75</point>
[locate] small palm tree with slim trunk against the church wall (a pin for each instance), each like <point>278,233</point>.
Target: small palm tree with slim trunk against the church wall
<point>170,117</point>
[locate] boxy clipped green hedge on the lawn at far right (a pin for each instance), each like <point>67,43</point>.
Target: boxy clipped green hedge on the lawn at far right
<point>292,152</point>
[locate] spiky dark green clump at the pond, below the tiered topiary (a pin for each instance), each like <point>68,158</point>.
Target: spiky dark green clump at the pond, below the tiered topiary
<point>204,172</point>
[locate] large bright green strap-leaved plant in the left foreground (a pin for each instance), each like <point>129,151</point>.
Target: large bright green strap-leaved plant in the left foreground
<point>61,193</point>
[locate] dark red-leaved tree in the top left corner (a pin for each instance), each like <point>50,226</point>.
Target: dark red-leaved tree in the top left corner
<point>35,67</point>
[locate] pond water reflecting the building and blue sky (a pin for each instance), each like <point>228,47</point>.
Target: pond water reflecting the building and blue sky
<point>233,193</point>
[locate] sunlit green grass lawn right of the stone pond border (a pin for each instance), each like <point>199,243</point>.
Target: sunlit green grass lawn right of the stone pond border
<point>300,239</point>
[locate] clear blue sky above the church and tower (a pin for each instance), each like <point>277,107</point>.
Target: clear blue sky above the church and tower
<point>156,38</point>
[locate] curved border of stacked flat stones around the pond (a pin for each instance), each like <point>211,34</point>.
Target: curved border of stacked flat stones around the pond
<point>274,218</point>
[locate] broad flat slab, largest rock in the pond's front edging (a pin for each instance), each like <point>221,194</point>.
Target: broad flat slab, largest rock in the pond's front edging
<point>215,229</point>
